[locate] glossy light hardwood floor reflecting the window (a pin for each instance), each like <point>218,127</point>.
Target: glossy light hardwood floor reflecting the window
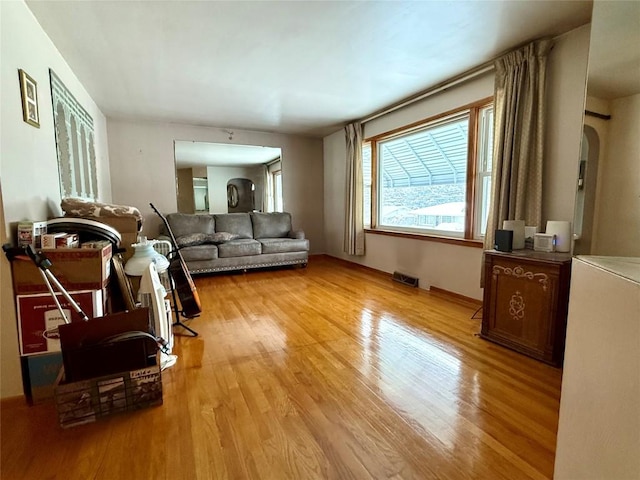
<point>333,372</point>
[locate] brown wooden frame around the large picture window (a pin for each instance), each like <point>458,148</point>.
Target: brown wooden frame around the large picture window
<point>471,235</point>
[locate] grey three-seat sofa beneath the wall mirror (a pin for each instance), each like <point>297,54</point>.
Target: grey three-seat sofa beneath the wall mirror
<point>237,241</point>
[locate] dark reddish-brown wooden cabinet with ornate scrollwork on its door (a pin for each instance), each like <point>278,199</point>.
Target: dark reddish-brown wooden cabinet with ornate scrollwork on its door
<point>526,295</point>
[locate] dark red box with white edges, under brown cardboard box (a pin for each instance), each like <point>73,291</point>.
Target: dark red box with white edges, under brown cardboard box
<point>39,317</point>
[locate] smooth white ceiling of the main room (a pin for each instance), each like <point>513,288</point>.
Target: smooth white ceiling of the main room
<point>303,67</point>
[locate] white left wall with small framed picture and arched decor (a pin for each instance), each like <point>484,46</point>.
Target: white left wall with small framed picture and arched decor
<point>28,161</point>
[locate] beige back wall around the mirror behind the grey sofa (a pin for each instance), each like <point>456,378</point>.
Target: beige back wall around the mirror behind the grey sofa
<point>143,170</point>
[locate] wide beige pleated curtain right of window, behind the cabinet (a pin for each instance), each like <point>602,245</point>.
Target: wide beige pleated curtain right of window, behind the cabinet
<point>519,124</point>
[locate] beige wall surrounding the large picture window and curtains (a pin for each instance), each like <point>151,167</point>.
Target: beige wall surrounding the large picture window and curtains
<point>452,267</point>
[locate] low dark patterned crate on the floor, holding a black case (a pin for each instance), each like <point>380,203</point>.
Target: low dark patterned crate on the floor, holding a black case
<point>86,401</point>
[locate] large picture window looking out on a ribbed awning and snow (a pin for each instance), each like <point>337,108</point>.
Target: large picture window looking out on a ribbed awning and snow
<point>432,178</point>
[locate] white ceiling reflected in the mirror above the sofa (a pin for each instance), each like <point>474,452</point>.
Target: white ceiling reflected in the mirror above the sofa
<point>203,154</point>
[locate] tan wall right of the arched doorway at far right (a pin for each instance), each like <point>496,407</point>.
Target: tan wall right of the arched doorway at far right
<point>617,229</point>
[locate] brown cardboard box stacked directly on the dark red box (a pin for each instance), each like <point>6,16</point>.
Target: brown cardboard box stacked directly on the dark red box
<point>75,268</point>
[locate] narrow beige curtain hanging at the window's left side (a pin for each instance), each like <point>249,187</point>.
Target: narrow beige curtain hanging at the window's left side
<point>354,227</point>
